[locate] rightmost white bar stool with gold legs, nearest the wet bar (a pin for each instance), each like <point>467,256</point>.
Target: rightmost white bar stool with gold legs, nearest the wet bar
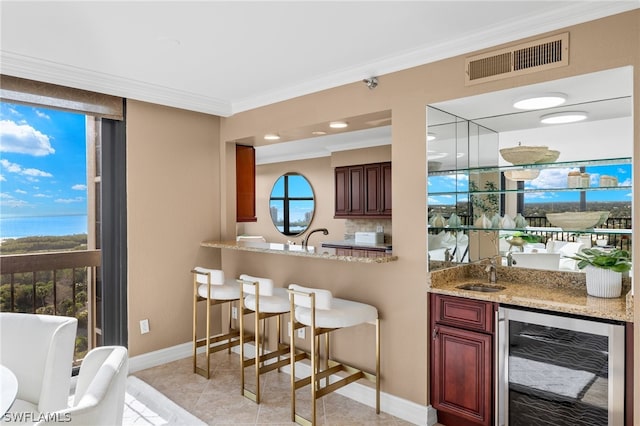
<point>323,313</point>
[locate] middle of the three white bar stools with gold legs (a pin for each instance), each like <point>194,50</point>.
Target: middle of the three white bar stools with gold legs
<point>259,297</point>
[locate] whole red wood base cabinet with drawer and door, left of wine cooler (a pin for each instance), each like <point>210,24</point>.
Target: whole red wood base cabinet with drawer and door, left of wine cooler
<point>462,360</point>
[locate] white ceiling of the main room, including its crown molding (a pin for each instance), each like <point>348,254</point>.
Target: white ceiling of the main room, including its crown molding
<point>224,57</point>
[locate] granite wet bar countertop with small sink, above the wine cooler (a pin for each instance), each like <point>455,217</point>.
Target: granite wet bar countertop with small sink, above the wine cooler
<point>563,292</point>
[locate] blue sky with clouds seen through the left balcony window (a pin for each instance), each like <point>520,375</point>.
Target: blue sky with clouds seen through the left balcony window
<point>43,168</point>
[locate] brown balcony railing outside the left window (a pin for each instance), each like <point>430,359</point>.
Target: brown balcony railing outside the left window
<point>58,283</point>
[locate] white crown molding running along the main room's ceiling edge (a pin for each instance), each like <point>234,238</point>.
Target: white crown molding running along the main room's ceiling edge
<point>51,72</point>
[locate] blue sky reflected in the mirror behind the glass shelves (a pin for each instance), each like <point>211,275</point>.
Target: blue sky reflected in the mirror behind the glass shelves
<point>542,188</point>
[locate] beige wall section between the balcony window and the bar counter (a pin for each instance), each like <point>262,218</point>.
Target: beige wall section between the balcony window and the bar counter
<point>173,197</point>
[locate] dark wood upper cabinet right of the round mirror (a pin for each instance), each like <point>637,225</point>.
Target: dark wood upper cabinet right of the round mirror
<point>363,191</point>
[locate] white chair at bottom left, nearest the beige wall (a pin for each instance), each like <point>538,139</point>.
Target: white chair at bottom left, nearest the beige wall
<point>100,390</point>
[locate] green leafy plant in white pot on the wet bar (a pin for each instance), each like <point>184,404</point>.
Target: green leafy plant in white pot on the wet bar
<point>603,270</point>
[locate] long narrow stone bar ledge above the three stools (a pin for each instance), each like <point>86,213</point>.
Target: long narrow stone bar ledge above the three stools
<point>297,250</point>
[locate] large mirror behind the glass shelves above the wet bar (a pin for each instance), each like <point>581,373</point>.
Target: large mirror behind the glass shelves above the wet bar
<point>600,147</point>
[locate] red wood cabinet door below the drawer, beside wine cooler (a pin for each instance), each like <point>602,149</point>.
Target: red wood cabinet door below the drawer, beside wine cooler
<point>462,375</point>
